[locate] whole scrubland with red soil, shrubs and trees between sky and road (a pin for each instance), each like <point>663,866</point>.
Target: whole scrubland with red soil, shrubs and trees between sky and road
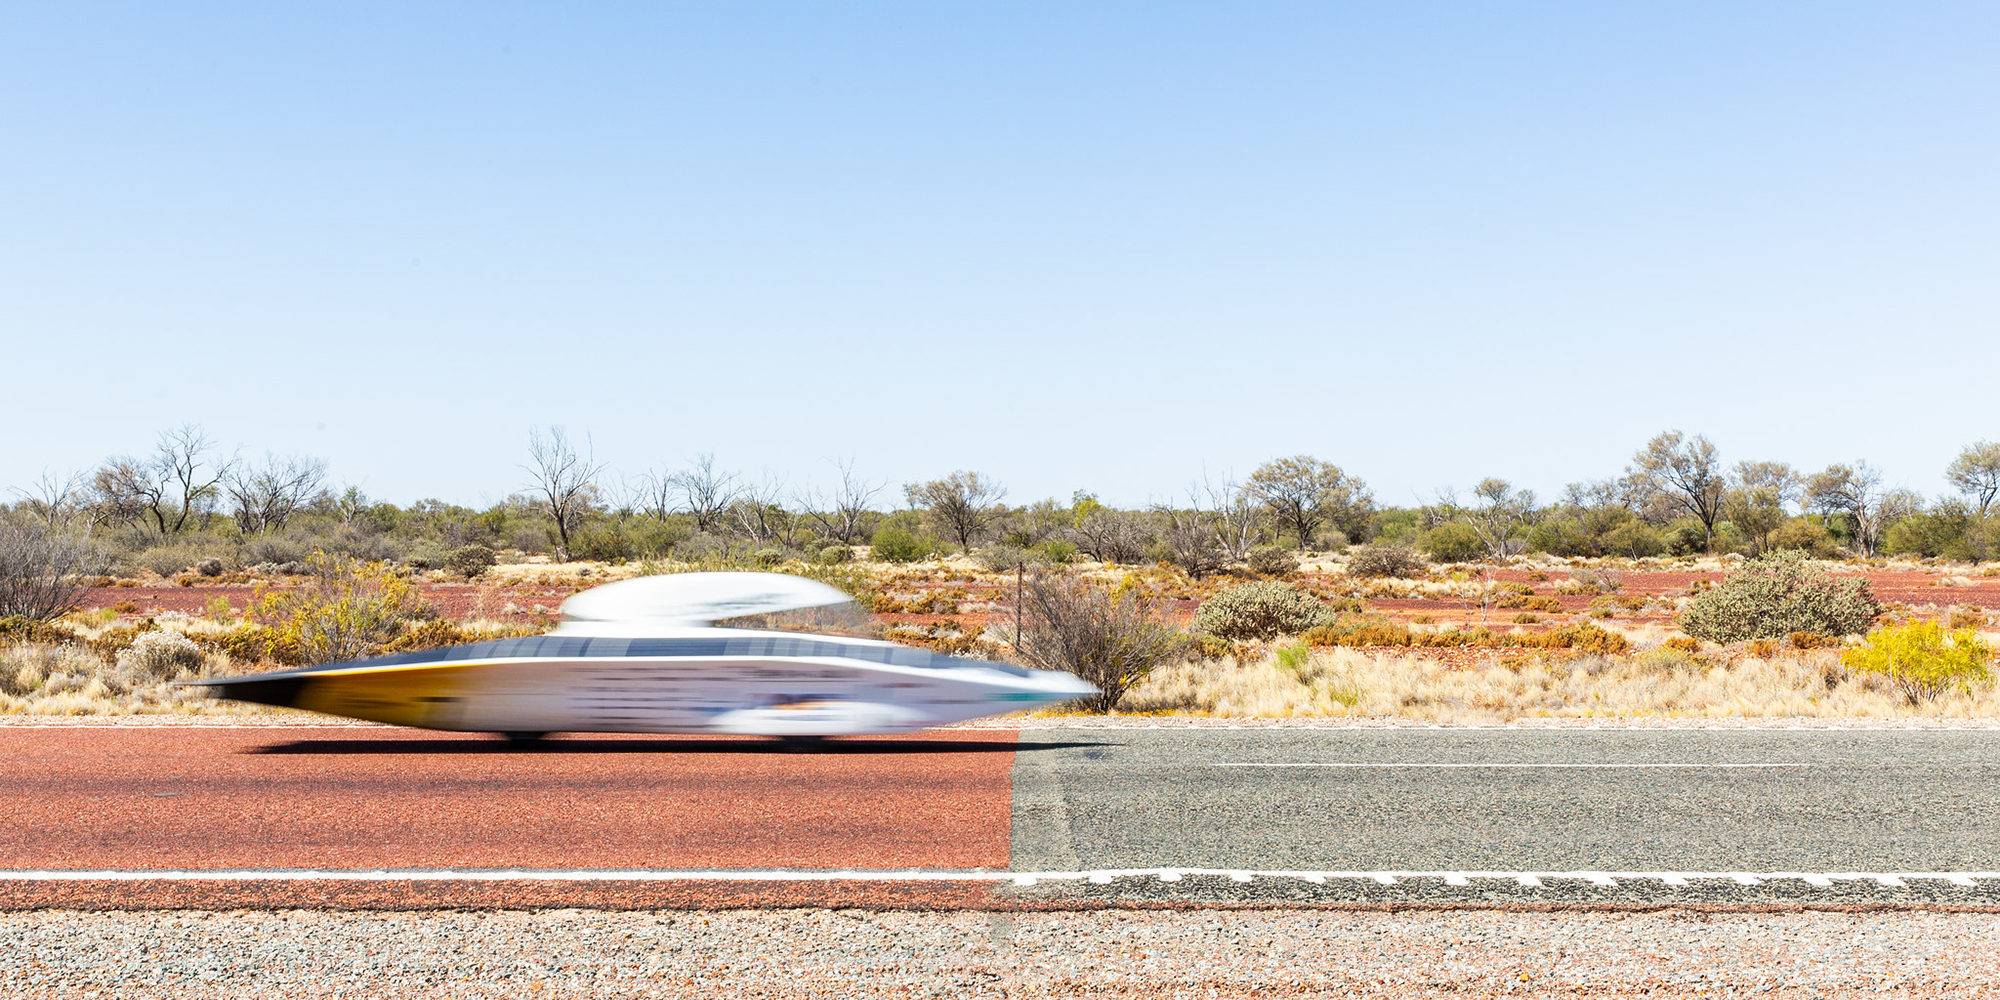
<point>1677,591</point>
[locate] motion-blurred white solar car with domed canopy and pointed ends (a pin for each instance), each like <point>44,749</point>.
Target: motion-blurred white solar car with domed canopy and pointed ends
<point>733,653</point>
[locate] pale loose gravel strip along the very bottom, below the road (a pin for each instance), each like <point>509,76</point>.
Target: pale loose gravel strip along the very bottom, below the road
<point>835,955</point>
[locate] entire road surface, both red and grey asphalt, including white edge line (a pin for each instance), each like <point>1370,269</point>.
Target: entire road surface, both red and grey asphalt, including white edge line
<point>1061,819</point>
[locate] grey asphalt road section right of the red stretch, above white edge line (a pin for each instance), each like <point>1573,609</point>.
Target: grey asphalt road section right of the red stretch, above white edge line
<point>1633,801</point>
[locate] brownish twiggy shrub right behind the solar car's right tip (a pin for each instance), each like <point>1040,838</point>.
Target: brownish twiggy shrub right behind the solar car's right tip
<point>1109,641</point>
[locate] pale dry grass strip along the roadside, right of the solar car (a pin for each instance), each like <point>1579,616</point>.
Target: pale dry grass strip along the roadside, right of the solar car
<point>1653,685</point>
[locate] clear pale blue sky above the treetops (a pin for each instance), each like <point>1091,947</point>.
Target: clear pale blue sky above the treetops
<point>1071,245</point>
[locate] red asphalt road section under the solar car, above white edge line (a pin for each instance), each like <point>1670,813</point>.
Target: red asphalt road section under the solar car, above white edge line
<point>405,799</point>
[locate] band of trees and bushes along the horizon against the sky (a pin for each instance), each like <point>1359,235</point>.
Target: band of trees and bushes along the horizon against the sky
<point>191,499</point>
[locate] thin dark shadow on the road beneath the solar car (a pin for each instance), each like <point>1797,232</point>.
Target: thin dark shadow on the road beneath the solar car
<point>585,745</point>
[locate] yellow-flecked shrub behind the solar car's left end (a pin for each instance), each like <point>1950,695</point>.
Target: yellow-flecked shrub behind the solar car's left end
<point>345,613</point>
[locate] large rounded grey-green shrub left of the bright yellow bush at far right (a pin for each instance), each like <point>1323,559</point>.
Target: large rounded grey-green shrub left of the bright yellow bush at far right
<point>1777,595</point>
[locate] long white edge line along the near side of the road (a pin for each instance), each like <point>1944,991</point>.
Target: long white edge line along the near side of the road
<point>947,875</point>
